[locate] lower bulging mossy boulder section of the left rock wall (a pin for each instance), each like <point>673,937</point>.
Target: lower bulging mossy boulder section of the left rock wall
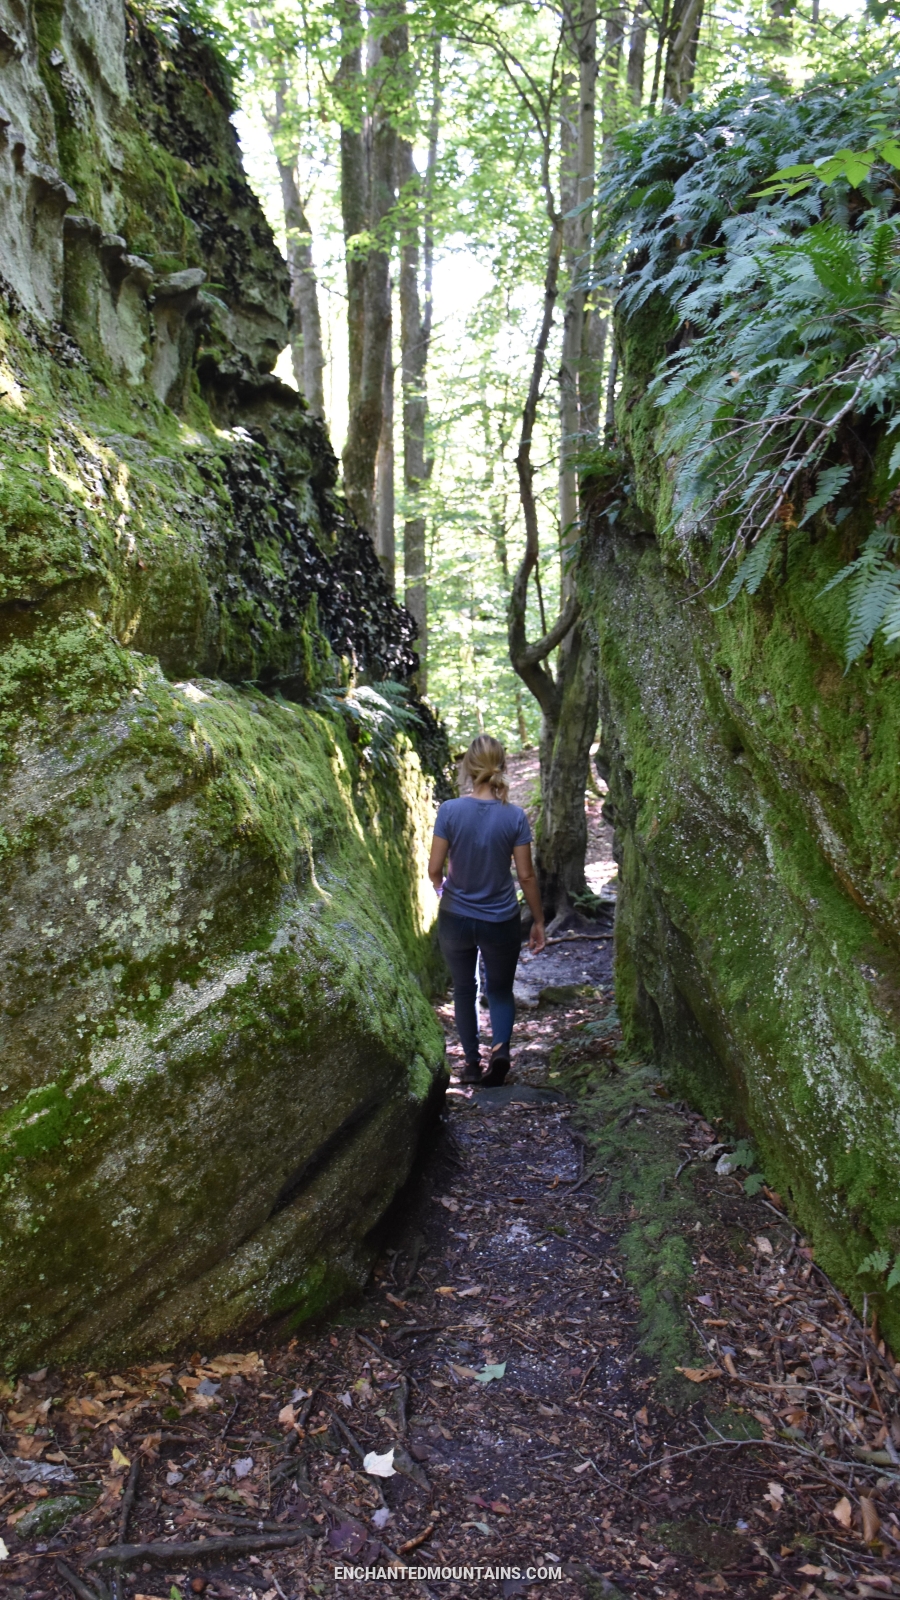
<point>217,1047</point>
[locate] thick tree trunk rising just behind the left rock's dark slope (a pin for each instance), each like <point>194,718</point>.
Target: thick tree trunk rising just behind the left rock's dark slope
<point>364,428</point>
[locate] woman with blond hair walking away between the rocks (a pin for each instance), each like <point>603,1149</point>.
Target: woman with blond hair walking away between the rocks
<point>480,911</point>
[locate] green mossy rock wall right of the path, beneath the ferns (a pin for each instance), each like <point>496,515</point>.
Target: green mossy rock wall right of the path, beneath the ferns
<point>755,798</point>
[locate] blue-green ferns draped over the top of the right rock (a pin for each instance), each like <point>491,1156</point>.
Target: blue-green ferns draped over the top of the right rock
<point>781,390</point>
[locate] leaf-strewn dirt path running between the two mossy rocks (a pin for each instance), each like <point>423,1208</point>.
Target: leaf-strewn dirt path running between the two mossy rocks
<point>593,1362</point>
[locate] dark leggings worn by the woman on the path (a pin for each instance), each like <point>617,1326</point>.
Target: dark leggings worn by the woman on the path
<point>460,942</point>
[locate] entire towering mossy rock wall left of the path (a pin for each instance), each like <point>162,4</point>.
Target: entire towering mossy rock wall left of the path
<point>215,1038</point>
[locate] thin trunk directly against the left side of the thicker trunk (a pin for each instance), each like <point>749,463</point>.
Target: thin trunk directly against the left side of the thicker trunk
<point>355,183</point>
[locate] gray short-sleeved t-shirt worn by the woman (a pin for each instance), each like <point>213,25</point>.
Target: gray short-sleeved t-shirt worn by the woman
<point>481,836</point>
